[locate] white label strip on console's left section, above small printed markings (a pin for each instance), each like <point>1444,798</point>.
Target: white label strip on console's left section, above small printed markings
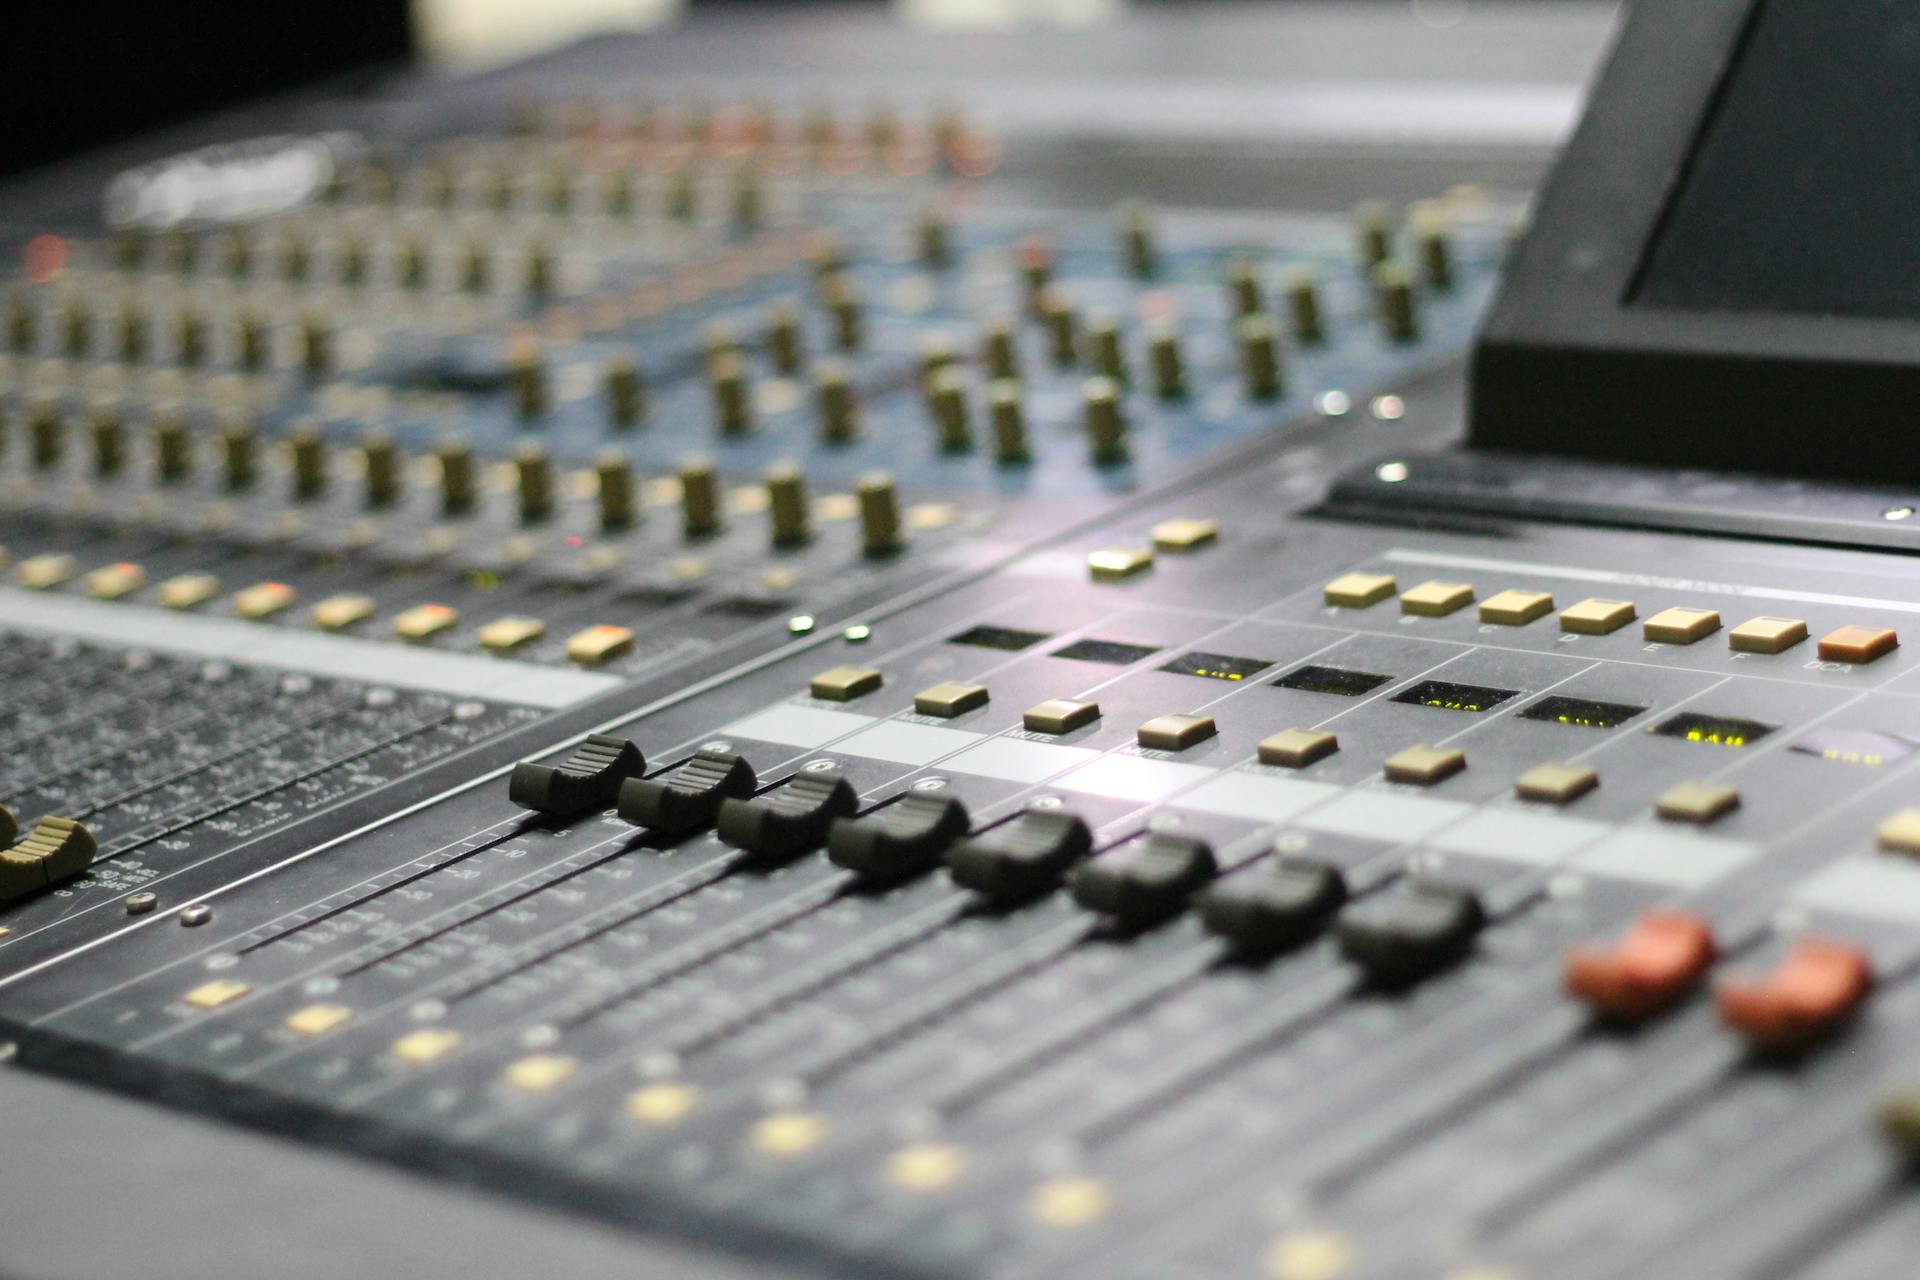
<point>316,653</point>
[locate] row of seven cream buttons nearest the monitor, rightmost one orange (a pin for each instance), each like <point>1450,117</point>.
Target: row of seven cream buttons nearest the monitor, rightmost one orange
<point>1602,617</point>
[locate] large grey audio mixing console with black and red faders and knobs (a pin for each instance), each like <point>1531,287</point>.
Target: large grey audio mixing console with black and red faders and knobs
<point>704,667</point>
